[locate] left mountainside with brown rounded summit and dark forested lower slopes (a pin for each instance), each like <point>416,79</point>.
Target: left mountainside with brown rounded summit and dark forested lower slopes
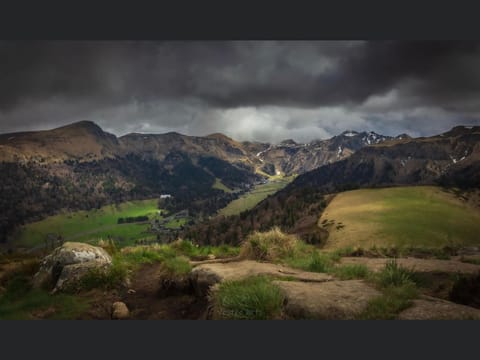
<point>81,167</point>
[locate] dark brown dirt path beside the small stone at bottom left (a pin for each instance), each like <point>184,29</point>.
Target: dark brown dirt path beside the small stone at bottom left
<point>147,302</point>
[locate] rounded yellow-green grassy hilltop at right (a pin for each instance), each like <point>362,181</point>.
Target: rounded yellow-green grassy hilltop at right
<point>403,216</point>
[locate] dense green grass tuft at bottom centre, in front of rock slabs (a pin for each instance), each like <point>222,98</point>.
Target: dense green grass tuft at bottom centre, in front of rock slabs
<point>254,298</point>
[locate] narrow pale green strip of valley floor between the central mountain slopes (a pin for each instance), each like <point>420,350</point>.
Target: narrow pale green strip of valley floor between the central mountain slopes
<point>252,198</point>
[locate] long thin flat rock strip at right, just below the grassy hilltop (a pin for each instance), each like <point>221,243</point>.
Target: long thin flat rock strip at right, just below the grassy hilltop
<point>420,265</point>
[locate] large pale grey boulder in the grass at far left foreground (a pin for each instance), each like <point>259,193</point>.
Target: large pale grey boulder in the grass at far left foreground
<point>68,263</point>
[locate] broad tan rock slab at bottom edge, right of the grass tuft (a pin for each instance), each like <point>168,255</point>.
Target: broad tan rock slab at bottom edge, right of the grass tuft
<point>333,300</point>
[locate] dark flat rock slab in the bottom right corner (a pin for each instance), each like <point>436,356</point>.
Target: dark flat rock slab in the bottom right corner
<point>429,308</point>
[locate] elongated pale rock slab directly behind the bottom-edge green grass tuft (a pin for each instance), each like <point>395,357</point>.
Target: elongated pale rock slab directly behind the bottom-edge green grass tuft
<point>204,276</point>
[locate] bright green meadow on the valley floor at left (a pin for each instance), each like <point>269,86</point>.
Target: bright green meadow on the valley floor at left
<point>94,224</point>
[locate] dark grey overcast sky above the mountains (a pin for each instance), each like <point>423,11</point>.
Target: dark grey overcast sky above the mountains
<point>256,90</point>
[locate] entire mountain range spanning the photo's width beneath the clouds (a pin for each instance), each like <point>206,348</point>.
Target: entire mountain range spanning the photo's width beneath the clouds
<point>80,166</point>
